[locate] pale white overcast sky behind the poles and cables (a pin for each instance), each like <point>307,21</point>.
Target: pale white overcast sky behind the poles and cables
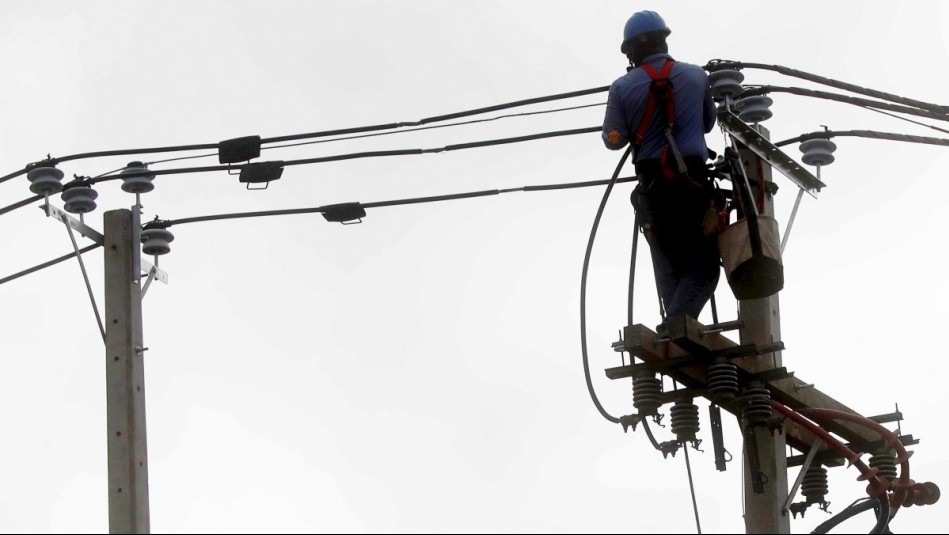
<point>421,372</point>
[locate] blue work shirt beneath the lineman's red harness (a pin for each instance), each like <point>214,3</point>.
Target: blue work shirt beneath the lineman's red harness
<point>694,108</point>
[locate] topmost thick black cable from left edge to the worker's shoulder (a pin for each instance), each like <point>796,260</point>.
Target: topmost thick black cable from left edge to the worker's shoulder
<point>209,146</point>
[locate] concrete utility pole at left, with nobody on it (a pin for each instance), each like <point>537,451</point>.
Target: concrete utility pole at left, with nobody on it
<point>125,376</point>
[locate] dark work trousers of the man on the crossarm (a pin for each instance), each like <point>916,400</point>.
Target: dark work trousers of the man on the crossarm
<point>685,261</point>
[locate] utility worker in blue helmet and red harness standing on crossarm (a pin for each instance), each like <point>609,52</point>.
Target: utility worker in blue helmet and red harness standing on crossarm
<point>664,109</point>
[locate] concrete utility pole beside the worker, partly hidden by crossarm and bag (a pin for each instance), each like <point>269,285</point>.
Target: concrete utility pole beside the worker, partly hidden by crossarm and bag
<point>761,324</point>
